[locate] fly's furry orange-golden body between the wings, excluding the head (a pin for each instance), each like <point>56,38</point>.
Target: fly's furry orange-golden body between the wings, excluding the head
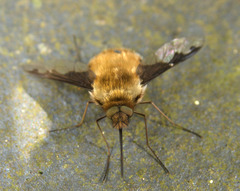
<point>116,82</point>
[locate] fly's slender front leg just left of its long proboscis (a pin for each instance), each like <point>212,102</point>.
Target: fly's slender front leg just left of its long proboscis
<point>105,172</point>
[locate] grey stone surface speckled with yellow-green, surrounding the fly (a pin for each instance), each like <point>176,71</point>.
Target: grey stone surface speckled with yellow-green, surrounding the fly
<point>32,159</point>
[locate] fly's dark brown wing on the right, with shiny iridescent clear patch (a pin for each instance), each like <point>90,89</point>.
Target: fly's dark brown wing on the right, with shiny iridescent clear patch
<point>169,55</point>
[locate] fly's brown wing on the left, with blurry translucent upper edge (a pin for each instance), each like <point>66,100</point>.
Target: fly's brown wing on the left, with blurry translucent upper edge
<point>63,73</point>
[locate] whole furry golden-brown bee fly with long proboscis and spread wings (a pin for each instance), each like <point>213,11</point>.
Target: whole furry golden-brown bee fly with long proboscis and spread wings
<point>117,79</point>
